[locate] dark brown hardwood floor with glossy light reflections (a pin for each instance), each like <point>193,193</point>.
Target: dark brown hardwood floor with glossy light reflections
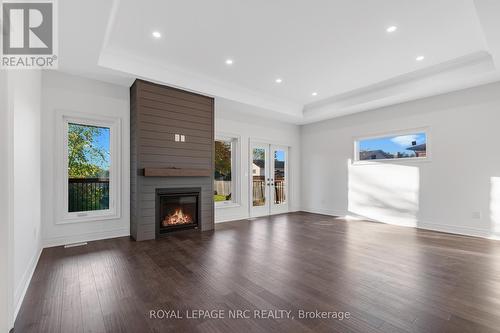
<point>390,279</point>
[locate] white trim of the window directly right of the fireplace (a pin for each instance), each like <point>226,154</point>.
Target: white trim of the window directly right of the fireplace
<point>235,171</point>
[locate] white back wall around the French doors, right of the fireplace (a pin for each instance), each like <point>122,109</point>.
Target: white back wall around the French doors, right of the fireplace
<point>233,118</point>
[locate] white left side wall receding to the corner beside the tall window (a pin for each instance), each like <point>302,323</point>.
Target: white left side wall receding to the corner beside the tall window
<point>24,90</point>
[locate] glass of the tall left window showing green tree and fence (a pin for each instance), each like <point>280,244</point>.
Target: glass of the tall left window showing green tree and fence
<point>88,159</point>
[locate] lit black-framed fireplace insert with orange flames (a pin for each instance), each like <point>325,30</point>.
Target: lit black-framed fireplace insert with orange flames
<point>176,209</point>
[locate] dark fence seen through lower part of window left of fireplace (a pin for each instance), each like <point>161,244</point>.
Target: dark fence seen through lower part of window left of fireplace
<point>88,194</point>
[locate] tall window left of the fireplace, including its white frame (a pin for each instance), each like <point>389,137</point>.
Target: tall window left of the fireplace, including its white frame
<point>90,169</point>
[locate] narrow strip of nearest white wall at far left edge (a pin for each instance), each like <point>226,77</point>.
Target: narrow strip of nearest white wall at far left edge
<point>5,223</point>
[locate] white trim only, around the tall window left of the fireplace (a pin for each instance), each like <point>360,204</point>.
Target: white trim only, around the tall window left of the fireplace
<point>114,124</point>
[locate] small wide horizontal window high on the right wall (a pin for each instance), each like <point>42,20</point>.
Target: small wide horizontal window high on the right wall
<point>412,145</point>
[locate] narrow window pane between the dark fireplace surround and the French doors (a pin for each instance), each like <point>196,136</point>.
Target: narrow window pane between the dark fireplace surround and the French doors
<point>225,182</point>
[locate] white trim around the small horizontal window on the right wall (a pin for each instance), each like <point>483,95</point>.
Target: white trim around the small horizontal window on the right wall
<point>425,130</point>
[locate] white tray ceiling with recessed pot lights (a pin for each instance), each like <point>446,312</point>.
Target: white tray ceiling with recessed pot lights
<point>338,48</point>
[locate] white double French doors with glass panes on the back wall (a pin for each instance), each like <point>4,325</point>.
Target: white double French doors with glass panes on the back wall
<point>269,179</point>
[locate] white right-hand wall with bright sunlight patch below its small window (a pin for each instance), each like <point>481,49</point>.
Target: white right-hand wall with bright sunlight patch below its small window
<point>462,177</point>
